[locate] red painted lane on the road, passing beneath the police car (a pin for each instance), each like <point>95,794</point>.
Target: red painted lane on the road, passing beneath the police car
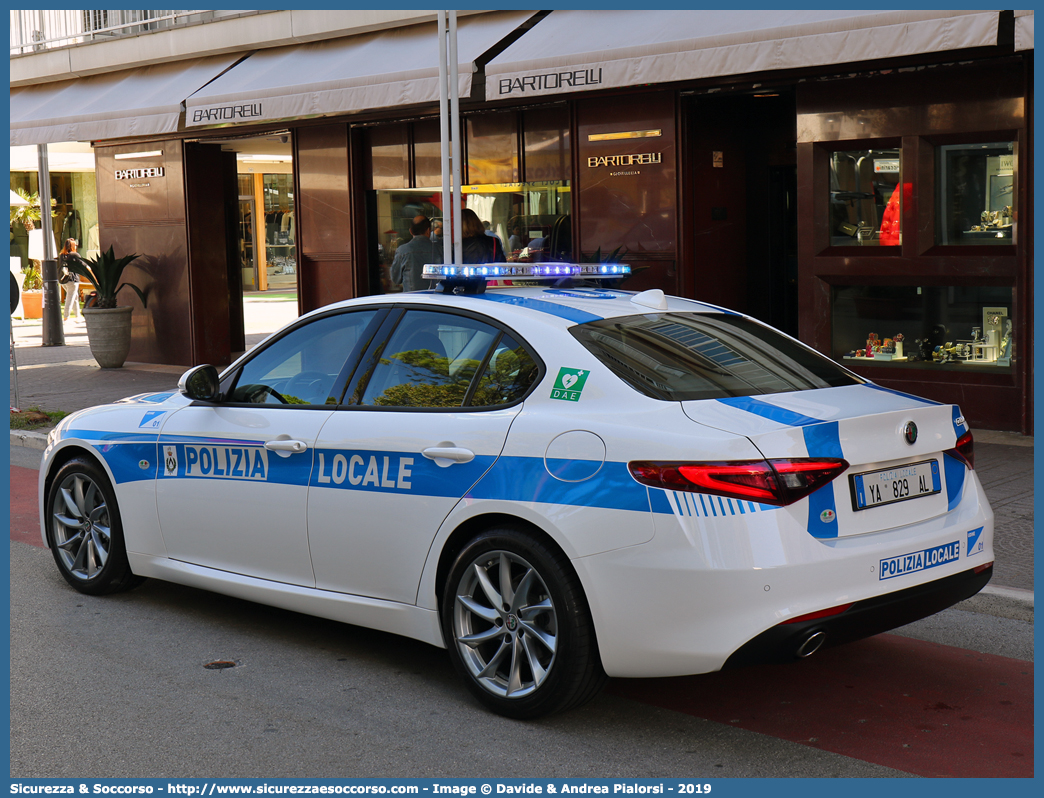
<point>919,708</point>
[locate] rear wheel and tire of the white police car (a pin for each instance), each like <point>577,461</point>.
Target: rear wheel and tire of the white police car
<point>530,651</point>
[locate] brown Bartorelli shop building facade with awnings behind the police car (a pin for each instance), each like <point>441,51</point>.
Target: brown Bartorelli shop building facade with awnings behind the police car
<point>863,182</point>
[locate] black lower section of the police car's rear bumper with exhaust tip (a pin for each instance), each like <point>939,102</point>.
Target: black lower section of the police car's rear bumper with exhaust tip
<point>789,643</point>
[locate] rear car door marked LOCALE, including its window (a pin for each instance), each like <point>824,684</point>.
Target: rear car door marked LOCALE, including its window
<point>425,418</point>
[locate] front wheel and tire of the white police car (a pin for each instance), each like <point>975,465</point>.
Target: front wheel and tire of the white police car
<point>84,530</point>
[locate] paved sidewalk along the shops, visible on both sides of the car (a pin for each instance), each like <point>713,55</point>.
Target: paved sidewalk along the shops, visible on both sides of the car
<point>67,379</point>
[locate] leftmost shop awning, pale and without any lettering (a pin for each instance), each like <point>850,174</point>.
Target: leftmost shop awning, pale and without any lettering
<point>143,102</point>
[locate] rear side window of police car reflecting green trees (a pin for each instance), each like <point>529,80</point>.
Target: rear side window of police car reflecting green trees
<point>432,361</point>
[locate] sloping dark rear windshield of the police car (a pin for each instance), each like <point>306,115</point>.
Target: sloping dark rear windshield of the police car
<point>690,357</point>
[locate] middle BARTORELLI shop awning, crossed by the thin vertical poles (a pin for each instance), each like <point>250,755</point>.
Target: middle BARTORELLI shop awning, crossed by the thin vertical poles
<point>386,69</point>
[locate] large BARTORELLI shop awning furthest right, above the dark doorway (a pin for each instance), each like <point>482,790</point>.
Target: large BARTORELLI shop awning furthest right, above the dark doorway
<point>579,51</point>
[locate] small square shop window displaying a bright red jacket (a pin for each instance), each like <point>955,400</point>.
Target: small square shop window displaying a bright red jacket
<point>866,201</point>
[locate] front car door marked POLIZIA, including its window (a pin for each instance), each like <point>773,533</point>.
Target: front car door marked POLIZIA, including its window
<point>233,491</point>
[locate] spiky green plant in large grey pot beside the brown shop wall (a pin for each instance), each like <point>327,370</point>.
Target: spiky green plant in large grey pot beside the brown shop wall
<point>108,326</point>
